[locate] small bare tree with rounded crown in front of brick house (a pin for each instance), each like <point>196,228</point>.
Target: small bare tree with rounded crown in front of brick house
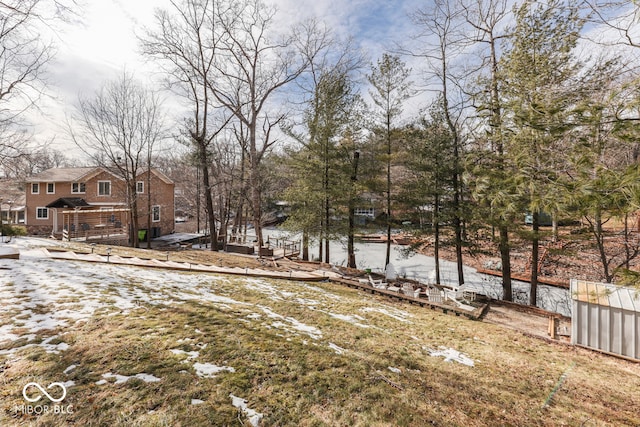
<point>118,128</point>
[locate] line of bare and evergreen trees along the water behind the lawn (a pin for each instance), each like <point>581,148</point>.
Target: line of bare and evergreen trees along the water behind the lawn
<point>525,107</point>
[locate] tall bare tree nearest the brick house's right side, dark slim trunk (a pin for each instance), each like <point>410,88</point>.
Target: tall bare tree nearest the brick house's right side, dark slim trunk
<point>185,43</point>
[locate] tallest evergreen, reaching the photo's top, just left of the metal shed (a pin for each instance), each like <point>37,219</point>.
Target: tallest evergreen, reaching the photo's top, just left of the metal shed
<point>540,75</point>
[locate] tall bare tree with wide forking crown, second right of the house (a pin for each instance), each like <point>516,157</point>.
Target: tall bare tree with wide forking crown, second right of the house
<point>254,65</point>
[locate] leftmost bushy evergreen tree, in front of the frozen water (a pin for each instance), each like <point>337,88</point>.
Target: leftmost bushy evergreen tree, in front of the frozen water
<point>323,166</point>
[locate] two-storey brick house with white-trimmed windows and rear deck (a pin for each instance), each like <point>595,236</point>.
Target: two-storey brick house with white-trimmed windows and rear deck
<point>92,201</point>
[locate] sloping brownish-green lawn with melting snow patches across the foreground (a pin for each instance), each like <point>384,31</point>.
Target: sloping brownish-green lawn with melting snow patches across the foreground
<point>188,346</point>
